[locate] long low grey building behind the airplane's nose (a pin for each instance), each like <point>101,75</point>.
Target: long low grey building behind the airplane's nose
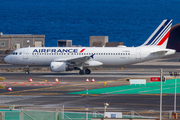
<point>12,42</point>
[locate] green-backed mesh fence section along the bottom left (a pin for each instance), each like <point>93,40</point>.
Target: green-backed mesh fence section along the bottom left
<point>47,114</point>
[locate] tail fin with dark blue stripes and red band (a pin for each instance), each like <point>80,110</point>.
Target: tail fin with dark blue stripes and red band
<point>160,36</point>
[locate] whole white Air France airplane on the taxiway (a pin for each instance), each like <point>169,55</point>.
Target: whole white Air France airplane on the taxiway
<point>81,58</point>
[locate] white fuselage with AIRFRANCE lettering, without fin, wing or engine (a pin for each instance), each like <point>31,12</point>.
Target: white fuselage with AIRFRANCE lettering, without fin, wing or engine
<point>43,56</point>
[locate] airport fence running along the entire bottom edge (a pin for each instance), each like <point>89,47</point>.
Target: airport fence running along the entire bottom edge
<point>80,114</point>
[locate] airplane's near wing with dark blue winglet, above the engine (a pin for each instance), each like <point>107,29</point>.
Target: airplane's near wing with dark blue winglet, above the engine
<point>80,61</point>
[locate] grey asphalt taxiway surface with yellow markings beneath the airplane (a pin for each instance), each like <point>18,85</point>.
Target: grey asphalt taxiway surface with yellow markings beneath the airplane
<point>56,96</point>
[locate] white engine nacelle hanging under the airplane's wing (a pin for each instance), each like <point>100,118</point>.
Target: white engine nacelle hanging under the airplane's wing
<point>60,67</point>
